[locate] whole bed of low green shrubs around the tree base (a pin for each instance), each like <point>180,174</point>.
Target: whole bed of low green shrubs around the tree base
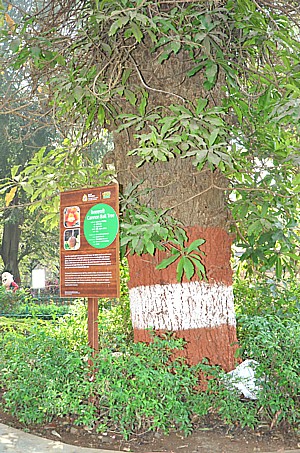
<point>148,387</point>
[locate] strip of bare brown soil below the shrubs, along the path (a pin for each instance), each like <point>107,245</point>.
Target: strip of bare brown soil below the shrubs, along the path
<point>209,436</point>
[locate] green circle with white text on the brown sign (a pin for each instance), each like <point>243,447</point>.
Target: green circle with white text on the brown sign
<point>101,226</point>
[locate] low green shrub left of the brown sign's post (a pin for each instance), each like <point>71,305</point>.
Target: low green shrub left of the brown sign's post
<point>41,377</point>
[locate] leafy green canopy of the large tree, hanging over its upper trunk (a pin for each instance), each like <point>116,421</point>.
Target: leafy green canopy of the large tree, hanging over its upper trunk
<point>81,60</point>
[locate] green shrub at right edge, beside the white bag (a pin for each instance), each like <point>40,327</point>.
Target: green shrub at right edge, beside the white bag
<point>274,343</point>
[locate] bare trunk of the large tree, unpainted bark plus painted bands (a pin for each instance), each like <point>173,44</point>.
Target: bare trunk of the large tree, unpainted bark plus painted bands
<point>200,312</point>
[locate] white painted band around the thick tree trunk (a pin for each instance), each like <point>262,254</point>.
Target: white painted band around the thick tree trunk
<point>182,306</point>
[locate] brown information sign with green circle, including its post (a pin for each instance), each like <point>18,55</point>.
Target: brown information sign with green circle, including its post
<point>89,248</point>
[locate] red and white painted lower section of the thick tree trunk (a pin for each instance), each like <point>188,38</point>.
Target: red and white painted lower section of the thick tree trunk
<point>200,312</point>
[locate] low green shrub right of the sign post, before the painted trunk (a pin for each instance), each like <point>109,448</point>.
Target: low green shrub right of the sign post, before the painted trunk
<point>141,388</point>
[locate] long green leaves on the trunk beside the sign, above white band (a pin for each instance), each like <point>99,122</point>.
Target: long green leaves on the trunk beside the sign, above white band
<point>145,230</point>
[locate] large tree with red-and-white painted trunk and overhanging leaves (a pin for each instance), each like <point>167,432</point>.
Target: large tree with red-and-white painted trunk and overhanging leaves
<point>202,99</point>
